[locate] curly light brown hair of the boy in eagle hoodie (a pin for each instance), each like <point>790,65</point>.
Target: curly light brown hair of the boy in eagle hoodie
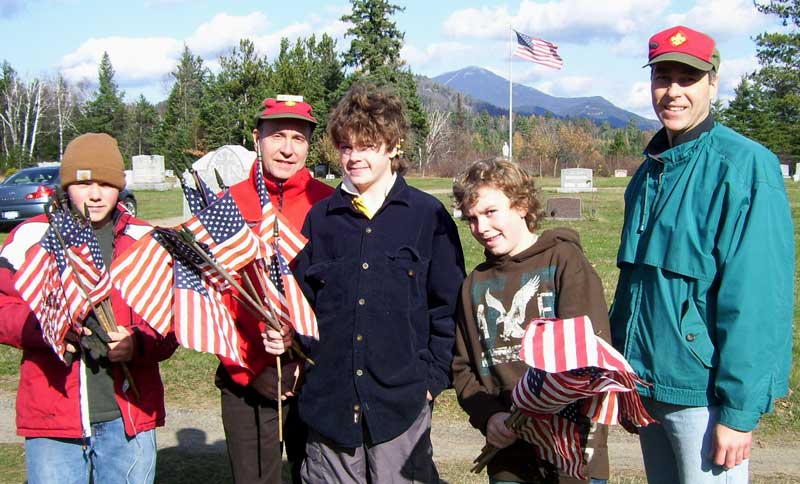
<point>505,176</point>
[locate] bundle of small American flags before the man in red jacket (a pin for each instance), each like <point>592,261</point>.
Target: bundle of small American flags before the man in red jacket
<point>175,277</point>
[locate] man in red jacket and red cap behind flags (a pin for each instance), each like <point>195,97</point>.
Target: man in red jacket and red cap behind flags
<point>249,395</point>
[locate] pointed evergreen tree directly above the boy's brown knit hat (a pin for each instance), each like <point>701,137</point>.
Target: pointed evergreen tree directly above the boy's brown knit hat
<point>105,112</point>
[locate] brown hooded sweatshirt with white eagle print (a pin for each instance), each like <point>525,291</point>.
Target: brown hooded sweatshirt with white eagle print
<point>552,278</point>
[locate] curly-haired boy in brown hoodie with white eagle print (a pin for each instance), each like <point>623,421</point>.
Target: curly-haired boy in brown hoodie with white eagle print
<point>526,275</point>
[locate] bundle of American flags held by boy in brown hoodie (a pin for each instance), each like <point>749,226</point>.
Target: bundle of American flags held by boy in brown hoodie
<point>575,379</point>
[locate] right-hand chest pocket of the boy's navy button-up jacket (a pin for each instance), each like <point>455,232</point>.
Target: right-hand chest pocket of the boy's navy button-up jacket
<point>406,279</point>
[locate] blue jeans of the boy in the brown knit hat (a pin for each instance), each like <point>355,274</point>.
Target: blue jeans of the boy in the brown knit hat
<point>108,456</point>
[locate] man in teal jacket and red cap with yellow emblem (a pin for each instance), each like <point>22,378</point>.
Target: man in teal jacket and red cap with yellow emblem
<point>703,308</point>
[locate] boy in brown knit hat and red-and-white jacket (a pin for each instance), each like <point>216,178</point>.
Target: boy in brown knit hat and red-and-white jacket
<point>81,421</point>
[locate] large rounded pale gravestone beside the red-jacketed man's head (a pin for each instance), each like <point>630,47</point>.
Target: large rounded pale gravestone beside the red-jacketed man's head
<point>232,162</point>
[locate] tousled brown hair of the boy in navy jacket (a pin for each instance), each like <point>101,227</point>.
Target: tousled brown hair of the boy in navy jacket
<point>369,115</point>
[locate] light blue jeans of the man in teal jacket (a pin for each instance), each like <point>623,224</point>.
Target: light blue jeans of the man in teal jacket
<point>678,448</point>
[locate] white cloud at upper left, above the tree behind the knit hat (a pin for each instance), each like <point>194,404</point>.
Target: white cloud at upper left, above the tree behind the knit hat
<point>135,60</point>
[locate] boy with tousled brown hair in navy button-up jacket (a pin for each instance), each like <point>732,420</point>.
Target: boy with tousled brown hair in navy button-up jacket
<point>382,270</point>
